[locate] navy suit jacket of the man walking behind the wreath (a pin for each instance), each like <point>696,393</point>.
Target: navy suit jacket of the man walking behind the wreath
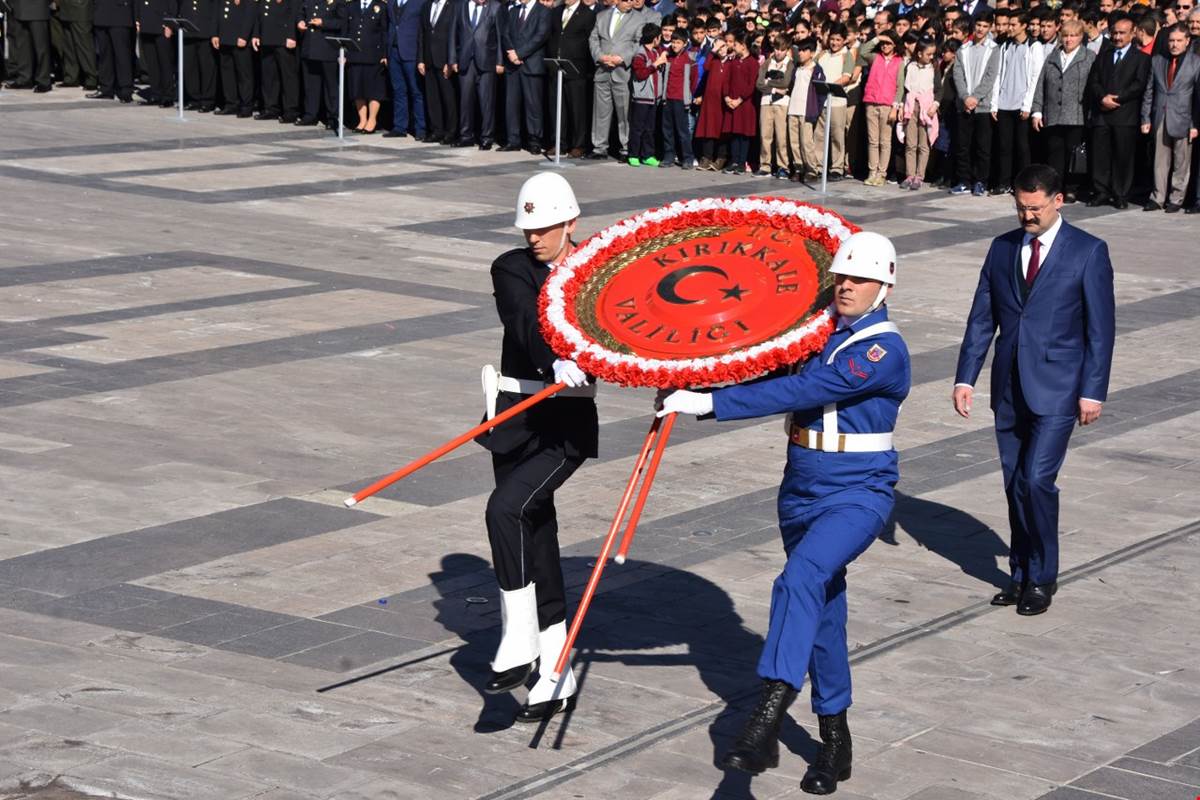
<point>1060,338</point>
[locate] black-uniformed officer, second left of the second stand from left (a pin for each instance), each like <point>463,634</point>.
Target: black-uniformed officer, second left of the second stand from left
<point>277,40</point>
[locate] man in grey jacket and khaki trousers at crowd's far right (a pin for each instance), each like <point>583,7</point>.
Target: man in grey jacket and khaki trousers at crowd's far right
<point>1169,109</point>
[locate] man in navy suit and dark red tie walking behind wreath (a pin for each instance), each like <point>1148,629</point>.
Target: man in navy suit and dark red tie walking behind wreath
<point>1048,287</point>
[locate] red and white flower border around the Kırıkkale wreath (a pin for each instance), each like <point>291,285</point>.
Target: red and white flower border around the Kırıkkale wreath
<point>565,334</point>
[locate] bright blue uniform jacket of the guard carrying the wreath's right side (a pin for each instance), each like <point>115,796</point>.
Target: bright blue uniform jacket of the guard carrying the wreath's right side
<point>868,392</point>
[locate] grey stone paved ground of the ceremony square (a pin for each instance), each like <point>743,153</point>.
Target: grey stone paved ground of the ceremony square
<point>211,330</point>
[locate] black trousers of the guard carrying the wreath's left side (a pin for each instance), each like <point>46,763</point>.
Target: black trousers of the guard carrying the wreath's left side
<point>523,526</point>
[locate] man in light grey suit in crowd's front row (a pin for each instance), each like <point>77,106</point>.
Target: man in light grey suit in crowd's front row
<point>614,44</point>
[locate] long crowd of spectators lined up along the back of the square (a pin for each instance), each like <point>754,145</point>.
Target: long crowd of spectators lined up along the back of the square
<point>928,92</point>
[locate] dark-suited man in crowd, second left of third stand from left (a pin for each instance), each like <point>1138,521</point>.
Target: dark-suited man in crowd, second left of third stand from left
<point>478,52</point>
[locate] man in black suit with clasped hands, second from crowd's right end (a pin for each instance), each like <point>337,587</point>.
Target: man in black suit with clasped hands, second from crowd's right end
<point>1117,85</point>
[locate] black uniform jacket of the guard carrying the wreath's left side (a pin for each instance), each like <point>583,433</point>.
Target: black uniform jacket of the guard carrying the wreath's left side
<point>568,422</point>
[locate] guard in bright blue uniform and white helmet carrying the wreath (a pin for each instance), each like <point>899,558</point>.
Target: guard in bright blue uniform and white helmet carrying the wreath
<point>835,501</point>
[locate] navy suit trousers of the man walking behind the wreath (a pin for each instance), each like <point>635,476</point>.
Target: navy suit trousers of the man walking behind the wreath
<point>1033,449</point>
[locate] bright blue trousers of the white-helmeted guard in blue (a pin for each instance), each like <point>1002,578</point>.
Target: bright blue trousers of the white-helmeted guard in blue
<point>808,603</point>
